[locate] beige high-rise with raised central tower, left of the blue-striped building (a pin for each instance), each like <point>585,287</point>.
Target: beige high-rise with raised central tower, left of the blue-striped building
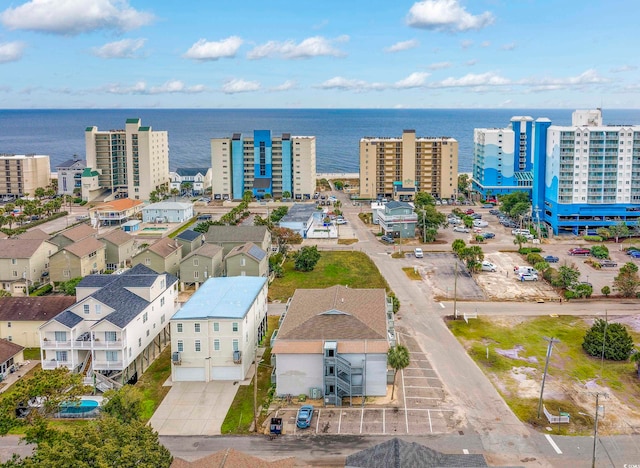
<point>132,162</point>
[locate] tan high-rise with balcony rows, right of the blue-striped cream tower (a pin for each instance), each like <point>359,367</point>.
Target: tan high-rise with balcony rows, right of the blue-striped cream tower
<point>397,168</point>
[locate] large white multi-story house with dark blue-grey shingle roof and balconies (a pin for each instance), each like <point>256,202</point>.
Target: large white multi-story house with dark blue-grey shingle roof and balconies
<point>117,326</point>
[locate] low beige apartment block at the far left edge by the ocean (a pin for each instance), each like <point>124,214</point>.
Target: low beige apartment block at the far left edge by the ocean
<point>23,173</point>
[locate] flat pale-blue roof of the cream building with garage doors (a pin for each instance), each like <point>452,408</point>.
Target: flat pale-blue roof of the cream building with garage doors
<point>229,297</point>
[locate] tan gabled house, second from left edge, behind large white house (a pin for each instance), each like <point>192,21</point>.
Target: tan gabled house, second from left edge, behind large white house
<point>82,258</point>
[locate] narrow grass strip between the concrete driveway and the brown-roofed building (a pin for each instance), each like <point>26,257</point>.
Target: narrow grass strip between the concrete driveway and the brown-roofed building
<point>240,415</point>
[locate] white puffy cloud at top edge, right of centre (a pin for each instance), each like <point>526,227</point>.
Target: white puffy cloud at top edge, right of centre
<point>446,15</point>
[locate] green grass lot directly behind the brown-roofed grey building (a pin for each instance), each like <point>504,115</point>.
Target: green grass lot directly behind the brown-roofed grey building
<point>354,269</point>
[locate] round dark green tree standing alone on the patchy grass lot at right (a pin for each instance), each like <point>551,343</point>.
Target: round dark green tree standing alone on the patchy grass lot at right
<point>618,344</point>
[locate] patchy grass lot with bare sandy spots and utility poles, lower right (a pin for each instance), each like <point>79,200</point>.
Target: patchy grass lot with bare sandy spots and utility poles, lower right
<point>569,364</point>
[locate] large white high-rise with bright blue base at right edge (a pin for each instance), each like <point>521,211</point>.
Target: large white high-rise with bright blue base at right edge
<point>587,175</point>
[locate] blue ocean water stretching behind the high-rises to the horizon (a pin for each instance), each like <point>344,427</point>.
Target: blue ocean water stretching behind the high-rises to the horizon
<point>60,133</point>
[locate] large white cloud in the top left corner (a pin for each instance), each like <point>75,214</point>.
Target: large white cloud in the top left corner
<point>72,17</point>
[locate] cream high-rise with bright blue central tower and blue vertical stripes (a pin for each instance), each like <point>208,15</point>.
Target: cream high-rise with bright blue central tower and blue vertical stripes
<point>264,165</point>
